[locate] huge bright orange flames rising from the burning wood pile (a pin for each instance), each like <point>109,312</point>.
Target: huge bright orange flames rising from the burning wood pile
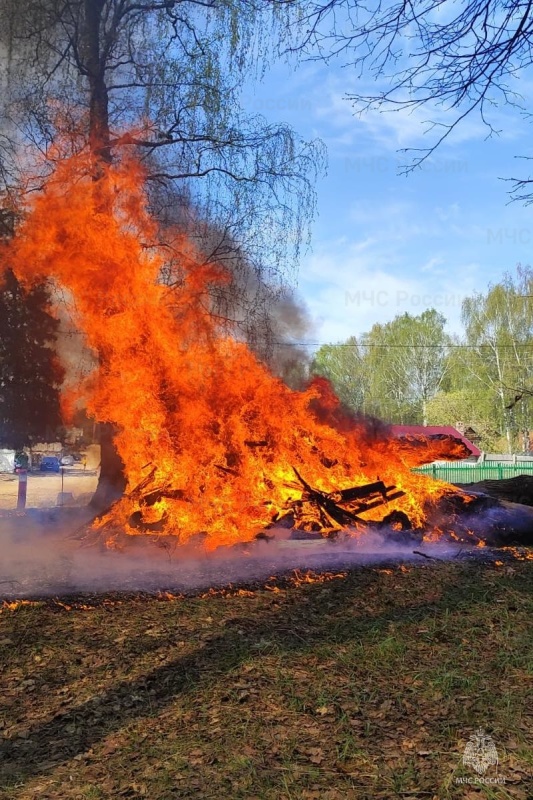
<point>211,441</point>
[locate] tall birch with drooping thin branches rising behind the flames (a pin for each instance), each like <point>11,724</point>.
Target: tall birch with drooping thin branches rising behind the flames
<point>163,77</point>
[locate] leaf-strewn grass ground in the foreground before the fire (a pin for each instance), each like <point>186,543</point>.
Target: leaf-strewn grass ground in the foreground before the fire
<point>365,685</point>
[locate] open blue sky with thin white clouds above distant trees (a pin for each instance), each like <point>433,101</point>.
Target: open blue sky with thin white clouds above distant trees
<point>384,244</point>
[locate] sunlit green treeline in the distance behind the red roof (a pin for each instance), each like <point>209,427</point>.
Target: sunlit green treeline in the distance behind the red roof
<point>410,370</point>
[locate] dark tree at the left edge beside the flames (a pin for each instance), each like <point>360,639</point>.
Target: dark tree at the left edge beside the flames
<point>30,375</point>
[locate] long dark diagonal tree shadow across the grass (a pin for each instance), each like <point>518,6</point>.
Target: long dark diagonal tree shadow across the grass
<point>320,614</point>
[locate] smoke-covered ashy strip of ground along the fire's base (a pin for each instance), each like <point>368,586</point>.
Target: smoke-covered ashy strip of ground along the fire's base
<point>47,553</point>
